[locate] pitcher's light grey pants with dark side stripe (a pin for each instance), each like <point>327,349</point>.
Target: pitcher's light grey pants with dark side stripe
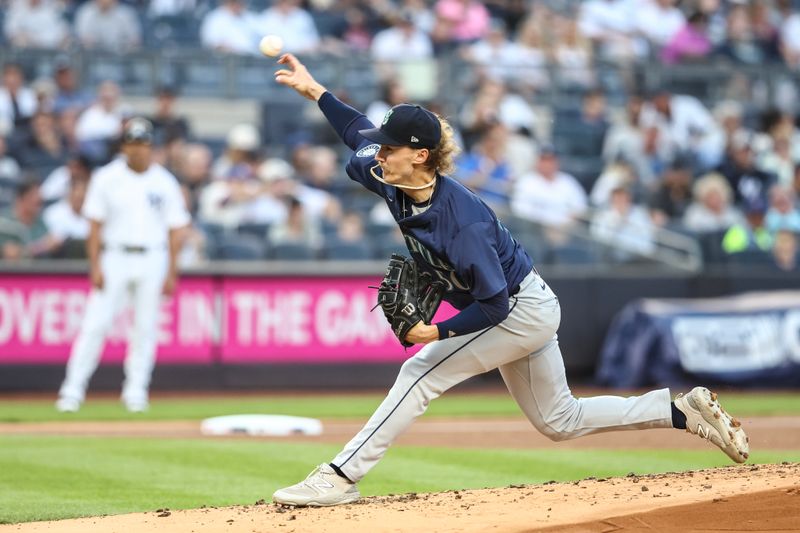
<point>525,348</point>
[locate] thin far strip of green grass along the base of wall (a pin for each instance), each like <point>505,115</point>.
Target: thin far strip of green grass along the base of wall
<point>334,406</point>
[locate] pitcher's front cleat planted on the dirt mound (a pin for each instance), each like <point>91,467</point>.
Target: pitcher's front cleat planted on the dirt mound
<point>322,487</point>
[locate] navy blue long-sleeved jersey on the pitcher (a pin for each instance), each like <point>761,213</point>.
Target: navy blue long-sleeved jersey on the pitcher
<point>458,238</point>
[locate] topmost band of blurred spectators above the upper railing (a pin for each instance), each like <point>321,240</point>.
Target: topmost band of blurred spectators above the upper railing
<point>517,32</point>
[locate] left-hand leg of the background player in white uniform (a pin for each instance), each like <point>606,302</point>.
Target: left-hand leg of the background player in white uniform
<point>101,307</point>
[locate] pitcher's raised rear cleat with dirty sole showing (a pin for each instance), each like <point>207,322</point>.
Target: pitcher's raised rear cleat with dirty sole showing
<point>706,417</point>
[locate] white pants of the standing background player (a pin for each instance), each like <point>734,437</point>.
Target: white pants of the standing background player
<point>136,278</point>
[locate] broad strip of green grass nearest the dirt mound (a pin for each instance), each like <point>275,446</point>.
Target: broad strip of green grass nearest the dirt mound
<point>46,478</point>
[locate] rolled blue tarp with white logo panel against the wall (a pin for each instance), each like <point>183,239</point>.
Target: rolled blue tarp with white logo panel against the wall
<point>752,338</point>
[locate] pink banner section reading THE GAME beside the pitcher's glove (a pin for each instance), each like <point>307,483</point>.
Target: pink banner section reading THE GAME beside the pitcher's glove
<point>307,320</point>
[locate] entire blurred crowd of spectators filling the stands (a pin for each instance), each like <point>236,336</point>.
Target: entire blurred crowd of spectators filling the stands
<point>610,160</point>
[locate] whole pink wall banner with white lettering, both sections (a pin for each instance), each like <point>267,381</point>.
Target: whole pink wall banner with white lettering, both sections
<point>209,319</point>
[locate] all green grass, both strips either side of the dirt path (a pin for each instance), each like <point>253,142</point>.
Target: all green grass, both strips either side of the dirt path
<point>50,477</point>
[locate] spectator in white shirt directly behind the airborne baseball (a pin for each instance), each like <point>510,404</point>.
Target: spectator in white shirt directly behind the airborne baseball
<point>286,19</point>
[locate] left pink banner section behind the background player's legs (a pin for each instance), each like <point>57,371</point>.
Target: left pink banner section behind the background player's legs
<point>40,315</point>
